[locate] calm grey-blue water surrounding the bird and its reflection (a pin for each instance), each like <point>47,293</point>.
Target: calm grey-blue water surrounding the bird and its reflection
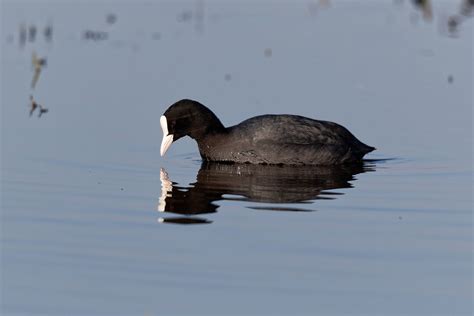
<point>80,231</point>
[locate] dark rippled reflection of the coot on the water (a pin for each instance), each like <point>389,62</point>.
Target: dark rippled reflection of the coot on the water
<point>271,185</point>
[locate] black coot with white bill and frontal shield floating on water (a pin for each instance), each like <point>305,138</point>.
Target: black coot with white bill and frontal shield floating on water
<point>266,139</point>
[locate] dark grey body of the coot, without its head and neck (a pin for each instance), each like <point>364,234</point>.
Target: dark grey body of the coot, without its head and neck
<point>293,139</point>
